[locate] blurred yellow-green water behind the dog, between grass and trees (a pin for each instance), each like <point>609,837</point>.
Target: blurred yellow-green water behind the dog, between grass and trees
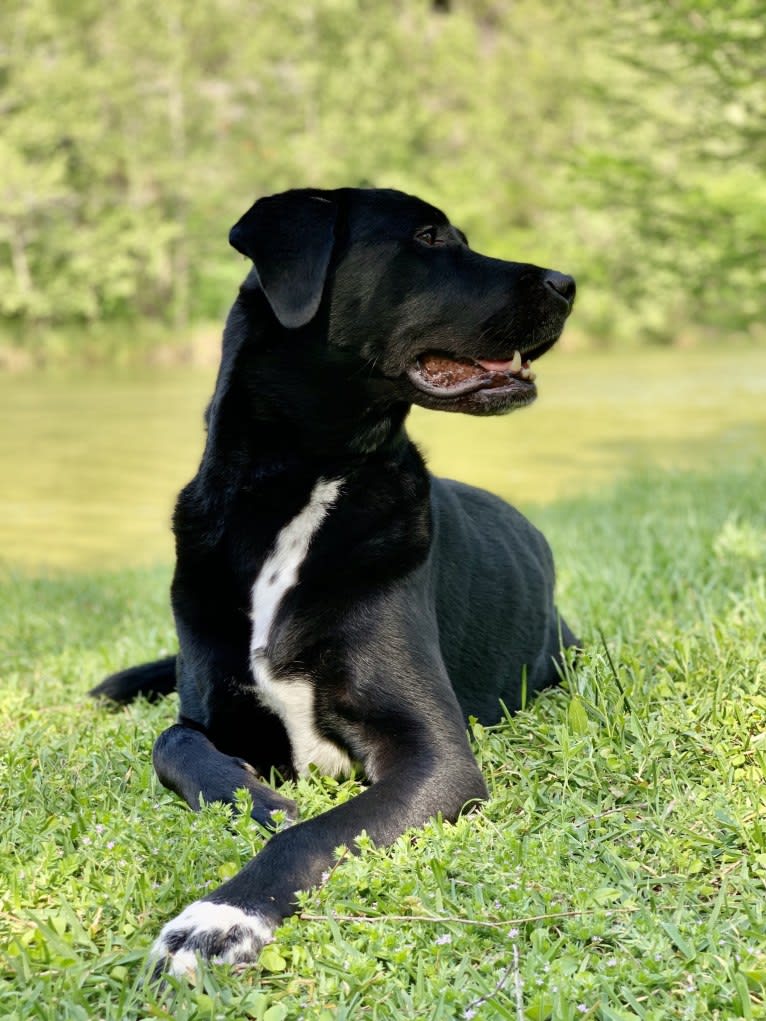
<point>90,464</point>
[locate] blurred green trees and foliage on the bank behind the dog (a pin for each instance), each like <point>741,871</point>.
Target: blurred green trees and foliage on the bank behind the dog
<point>620,141</point>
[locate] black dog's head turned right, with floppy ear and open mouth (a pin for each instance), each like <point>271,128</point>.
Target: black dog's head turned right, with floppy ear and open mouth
<point>395,293</point>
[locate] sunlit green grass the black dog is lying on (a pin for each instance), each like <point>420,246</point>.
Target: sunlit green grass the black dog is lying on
<point>616,872</point>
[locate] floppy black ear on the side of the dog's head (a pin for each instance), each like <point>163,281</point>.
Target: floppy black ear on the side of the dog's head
<point>290,238</point>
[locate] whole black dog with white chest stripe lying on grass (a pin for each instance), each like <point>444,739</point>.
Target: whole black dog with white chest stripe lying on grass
<point>334,603</point>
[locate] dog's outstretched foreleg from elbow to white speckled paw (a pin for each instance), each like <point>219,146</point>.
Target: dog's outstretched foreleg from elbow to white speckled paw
<point>425,771</point>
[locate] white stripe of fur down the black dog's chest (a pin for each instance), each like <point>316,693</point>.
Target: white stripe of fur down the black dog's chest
<point>293,698</point>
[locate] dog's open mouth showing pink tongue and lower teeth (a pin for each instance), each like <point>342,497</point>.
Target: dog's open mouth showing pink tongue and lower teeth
<point>447,376</point>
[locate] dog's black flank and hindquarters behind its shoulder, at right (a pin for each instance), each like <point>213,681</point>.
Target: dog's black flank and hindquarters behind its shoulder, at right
<point>501,635</point>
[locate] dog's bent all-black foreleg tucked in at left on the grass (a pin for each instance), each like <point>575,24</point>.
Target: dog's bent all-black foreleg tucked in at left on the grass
<point>187,762</point>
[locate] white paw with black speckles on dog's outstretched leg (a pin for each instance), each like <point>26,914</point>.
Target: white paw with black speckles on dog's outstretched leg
<point>219,933</point>
